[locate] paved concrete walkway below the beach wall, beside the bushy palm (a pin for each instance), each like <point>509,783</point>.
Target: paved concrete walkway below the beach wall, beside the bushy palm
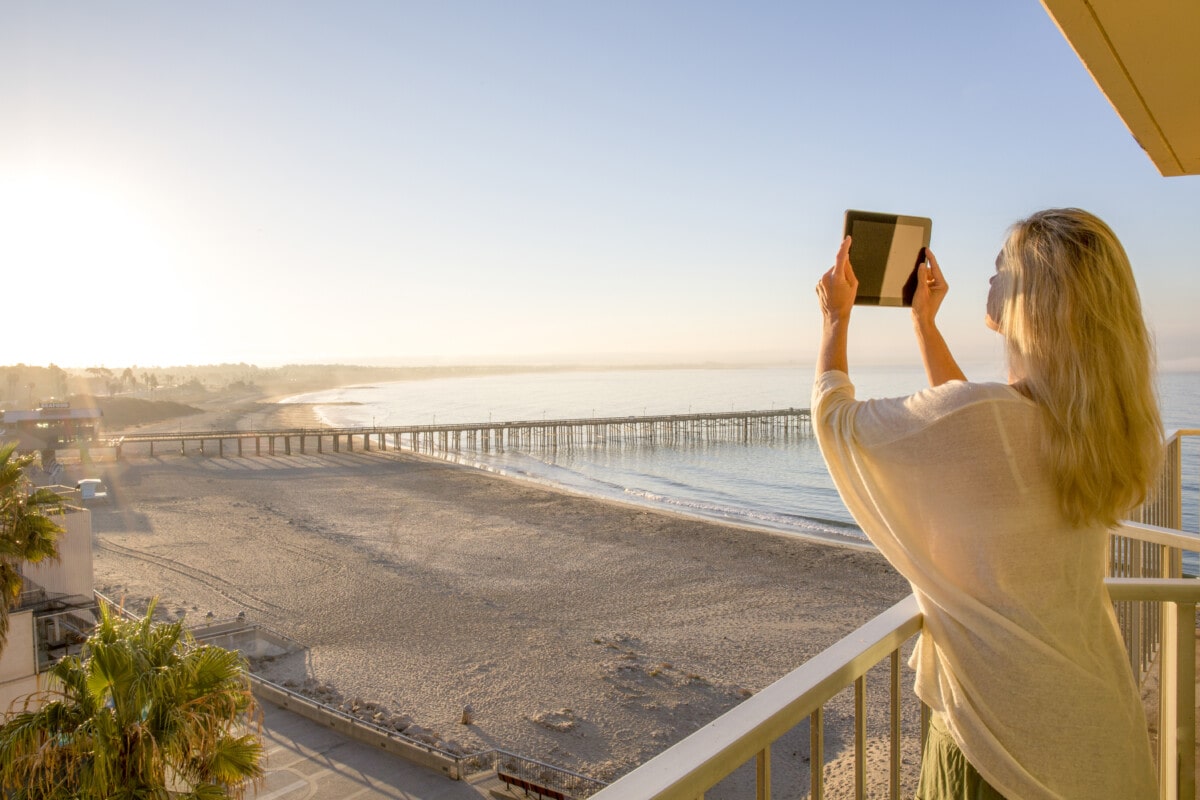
<point>309,762</point>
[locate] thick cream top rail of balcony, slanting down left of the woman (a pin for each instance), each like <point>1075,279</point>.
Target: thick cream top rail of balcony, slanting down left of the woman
<point>698,763</point>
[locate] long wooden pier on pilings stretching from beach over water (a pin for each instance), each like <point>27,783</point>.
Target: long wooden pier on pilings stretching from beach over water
<point>483,437</point>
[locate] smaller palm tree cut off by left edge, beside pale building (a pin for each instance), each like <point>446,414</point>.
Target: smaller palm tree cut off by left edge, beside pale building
<point>27,532</point>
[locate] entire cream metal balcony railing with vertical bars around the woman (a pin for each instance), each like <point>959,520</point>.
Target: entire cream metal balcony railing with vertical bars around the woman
<point>1156,609</point>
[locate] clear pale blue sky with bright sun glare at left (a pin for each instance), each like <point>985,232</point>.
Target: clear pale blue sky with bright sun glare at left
<point>537,183</point>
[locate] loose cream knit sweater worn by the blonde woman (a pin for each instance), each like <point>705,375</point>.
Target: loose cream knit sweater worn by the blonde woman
<point>1021,649</point>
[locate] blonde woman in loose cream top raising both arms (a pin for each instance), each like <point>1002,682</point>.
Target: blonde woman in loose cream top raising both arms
<point>995,502</point>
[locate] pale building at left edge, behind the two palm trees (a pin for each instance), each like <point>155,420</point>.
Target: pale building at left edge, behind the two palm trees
<point>55,616</point>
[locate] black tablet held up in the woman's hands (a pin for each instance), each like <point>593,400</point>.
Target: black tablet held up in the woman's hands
<point>885,251</point>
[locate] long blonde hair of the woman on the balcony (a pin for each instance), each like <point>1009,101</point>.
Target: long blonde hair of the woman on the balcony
<point>1077,340</point>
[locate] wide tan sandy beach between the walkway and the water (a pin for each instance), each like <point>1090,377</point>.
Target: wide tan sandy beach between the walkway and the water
<point>587,634</point>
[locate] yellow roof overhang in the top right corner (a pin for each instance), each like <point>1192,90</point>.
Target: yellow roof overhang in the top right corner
<point>1145,57</point>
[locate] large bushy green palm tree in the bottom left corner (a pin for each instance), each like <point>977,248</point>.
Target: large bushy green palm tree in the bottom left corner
<point>143,713</point>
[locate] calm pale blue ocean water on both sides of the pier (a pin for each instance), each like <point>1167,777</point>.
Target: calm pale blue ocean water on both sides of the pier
<point>781,486</point>
